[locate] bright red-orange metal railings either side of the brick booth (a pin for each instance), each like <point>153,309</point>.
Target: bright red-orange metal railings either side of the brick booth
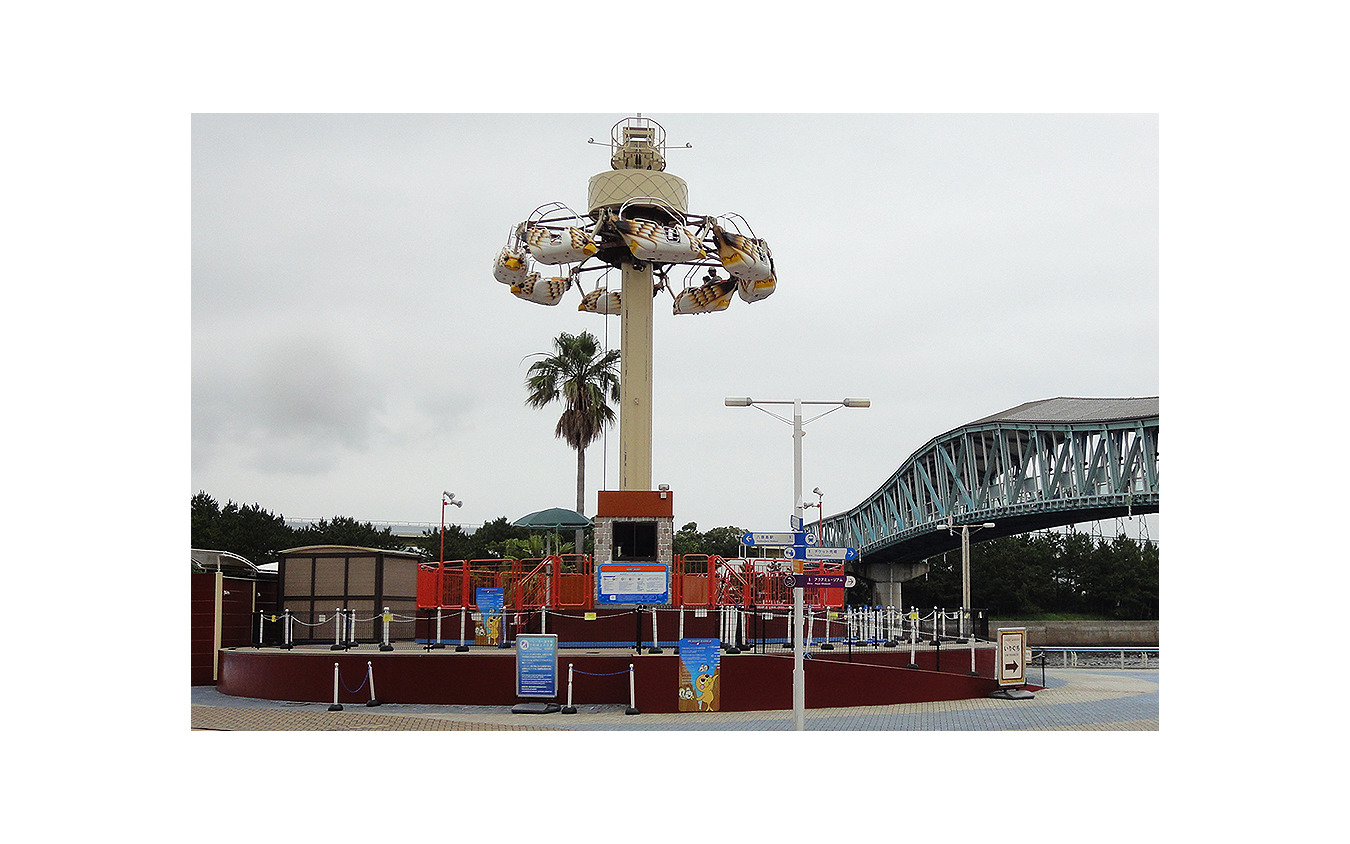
<point>569,583</point>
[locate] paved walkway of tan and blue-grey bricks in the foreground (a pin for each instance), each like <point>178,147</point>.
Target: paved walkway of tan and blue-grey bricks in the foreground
<point>1074,700</point>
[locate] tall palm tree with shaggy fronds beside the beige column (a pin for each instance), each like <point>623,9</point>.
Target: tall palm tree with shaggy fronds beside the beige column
<point>585,383</point>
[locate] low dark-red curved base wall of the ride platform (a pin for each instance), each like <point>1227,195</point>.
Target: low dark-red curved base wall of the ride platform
<point>750,683</point>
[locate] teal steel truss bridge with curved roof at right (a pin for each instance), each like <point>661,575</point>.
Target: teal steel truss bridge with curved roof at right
<point>1039,465</point>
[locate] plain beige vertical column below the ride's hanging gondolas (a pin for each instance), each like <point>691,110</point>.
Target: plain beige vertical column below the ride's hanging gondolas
<point>635,418</point>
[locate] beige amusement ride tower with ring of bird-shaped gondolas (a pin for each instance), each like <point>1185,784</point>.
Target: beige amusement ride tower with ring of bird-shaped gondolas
<point>638,222</point>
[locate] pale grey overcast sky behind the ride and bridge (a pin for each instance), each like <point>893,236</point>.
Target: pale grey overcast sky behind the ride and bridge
<point>352,353</point>
